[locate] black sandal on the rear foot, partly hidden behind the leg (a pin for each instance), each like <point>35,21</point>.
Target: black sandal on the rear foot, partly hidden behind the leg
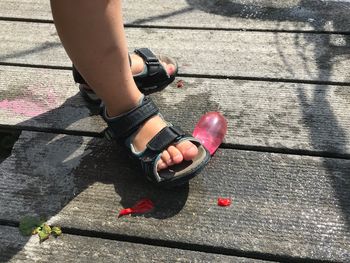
<point>153,78</point>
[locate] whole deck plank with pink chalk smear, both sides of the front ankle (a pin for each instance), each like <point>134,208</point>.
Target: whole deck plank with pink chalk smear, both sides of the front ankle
<point>282,115</point>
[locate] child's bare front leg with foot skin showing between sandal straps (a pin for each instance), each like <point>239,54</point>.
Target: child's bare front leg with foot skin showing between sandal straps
<point>92,33</point>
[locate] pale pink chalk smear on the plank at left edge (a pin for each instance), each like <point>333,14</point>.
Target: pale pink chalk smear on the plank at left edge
<point>23,107</point>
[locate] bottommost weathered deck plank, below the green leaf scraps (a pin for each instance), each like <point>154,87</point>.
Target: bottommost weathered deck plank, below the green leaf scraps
<point>71,248</point>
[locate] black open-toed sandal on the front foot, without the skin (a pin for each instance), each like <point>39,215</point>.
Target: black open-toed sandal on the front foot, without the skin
<point>122,129</point>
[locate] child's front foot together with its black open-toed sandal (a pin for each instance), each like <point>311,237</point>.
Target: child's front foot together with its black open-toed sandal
<point>160,169</point>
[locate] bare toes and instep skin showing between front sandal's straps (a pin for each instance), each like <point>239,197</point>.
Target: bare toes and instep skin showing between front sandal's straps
<point>174,154</point>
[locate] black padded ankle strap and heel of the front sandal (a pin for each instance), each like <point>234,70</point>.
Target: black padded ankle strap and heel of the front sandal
<point>123,126</point>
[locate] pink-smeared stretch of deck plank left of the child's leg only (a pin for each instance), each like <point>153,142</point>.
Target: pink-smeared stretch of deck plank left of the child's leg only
<point>46,99</point>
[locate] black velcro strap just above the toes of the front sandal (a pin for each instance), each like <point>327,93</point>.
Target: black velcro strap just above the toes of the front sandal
<point>164,138</point>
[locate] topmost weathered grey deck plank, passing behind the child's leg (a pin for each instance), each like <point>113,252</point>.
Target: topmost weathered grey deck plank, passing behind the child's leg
<point>239,14</point>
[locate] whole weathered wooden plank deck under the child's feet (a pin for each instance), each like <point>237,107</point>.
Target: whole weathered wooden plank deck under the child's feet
<point>278,70</point>
